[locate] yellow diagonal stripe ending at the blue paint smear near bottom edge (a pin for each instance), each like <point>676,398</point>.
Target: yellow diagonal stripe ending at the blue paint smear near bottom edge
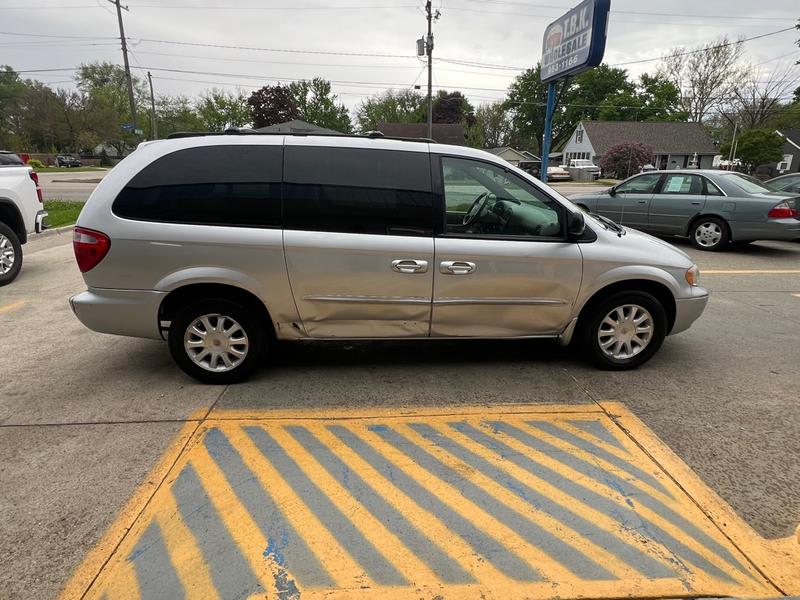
<point>237,520</point>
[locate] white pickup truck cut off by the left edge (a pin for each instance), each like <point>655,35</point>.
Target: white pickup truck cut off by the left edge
<point>21,212</point>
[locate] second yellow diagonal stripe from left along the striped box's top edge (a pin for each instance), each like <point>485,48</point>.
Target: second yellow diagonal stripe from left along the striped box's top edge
<point>409,565</point>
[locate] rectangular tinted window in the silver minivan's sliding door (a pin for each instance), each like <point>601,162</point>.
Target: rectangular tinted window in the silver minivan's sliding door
<point>357,190</point>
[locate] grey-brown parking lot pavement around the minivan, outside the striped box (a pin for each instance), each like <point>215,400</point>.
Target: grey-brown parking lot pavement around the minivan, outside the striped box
<point>85,417</point>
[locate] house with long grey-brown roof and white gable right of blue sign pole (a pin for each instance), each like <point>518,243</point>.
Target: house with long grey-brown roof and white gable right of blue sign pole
<point>675,145</point>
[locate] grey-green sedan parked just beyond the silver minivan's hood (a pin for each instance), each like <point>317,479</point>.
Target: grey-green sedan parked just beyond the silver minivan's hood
<point>712,208</point>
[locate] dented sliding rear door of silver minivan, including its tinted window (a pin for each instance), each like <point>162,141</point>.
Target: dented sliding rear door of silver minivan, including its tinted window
<point>358,238</point>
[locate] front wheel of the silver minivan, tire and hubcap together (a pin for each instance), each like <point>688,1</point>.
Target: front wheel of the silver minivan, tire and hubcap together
<point>625,330</point>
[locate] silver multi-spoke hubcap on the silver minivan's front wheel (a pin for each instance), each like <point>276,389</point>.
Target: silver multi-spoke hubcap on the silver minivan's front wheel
<point>625,332</point>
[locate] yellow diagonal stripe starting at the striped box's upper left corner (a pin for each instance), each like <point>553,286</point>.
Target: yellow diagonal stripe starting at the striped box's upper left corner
<point>346,571</point>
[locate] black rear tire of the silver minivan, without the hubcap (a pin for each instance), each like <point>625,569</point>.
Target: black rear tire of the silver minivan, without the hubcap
<point>250,324</point>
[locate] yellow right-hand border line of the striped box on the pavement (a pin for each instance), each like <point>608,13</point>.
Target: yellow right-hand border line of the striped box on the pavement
<point>777,559</point>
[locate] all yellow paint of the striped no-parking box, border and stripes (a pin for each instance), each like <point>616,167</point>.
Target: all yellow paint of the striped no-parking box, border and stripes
<point>766,568</point>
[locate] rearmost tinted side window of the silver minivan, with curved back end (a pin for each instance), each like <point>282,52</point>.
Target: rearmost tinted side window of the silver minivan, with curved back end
<point>209,185</point>
